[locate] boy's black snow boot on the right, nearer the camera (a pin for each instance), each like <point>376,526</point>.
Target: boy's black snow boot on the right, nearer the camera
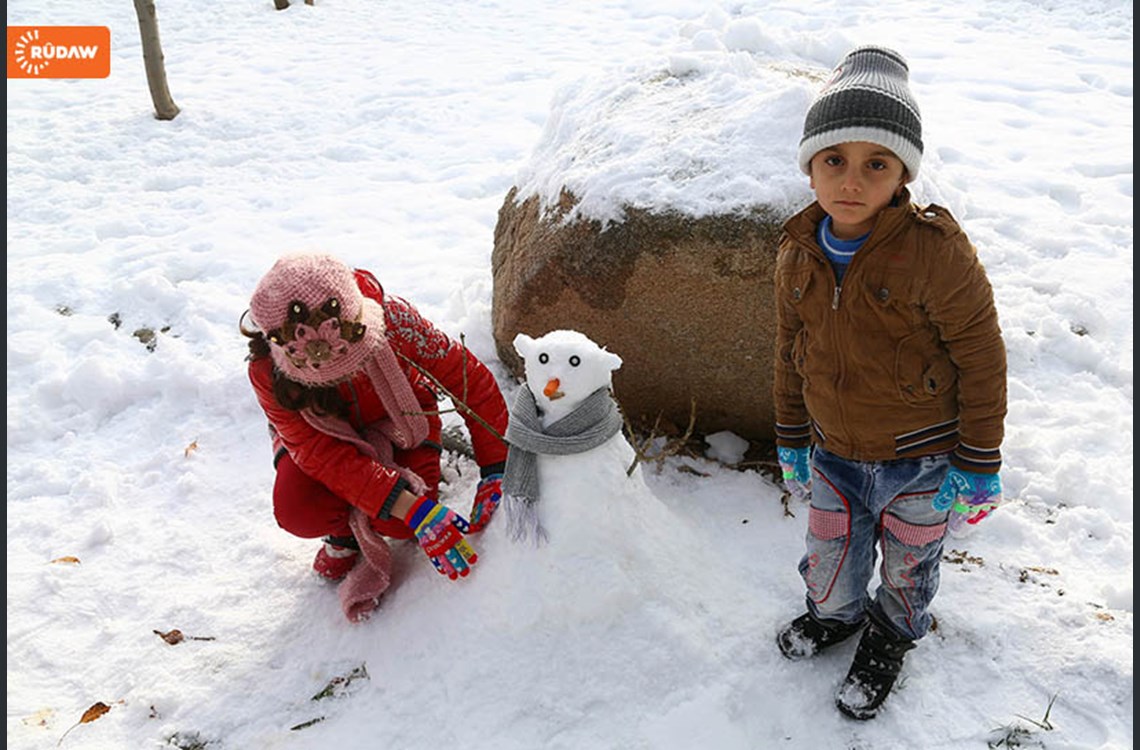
<point>877,664</point>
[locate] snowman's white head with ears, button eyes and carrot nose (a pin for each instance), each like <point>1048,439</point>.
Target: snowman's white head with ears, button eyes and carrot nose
<point>564,368</point>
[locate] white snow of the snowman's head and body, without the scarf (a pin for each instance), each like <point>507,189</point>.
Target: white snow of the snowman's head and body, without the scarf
<point>606,541</point>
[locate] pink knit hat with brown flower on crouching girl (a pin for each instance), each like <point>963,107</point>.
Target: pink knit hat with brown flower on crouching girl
<point>320,327</point>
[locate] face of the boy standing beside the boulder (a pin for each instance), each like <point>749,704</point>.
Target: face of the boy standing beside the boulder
<point>854,183</point>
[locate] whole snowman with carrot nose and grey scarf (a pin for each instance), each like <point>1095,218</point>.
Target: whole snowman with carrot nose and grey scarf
<point>587,534</point>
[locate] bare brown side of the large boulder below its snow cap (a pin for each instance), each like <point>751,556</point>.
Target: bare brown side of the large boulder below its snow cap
<point>687,304</point>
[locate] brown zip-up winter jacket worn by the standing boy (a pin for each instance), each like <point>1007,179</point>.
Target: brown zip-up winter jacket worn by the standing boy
<point>906,360</point>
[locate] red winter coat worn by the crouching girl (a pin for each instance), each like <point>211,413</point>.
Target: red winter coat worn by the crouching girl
<point>340,466</point>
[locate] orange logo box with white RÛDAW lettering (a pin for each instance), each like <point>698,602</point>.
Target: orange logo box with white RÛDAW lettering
<point>59,52</point>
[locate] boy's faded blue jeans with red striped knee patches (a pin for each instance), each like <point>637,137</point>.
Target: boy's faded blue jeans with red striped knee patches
<point>858,506</point>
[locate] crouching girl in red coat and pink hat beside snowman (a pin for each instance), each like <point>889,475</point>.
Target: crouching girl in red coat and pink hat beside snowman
<point>349,380</point>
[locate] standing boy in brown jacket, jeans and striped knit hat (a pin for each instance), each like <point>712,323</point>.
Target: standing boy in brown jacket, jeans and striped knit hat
<point>890,378</point>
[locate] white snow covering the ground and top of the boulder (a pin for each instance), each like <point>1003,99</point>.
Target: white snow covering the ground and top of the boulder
<point>390,134</point>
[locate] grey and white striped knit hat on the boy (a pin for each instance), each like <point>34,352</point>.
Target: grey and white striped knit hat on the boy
<point>867,100</point>
